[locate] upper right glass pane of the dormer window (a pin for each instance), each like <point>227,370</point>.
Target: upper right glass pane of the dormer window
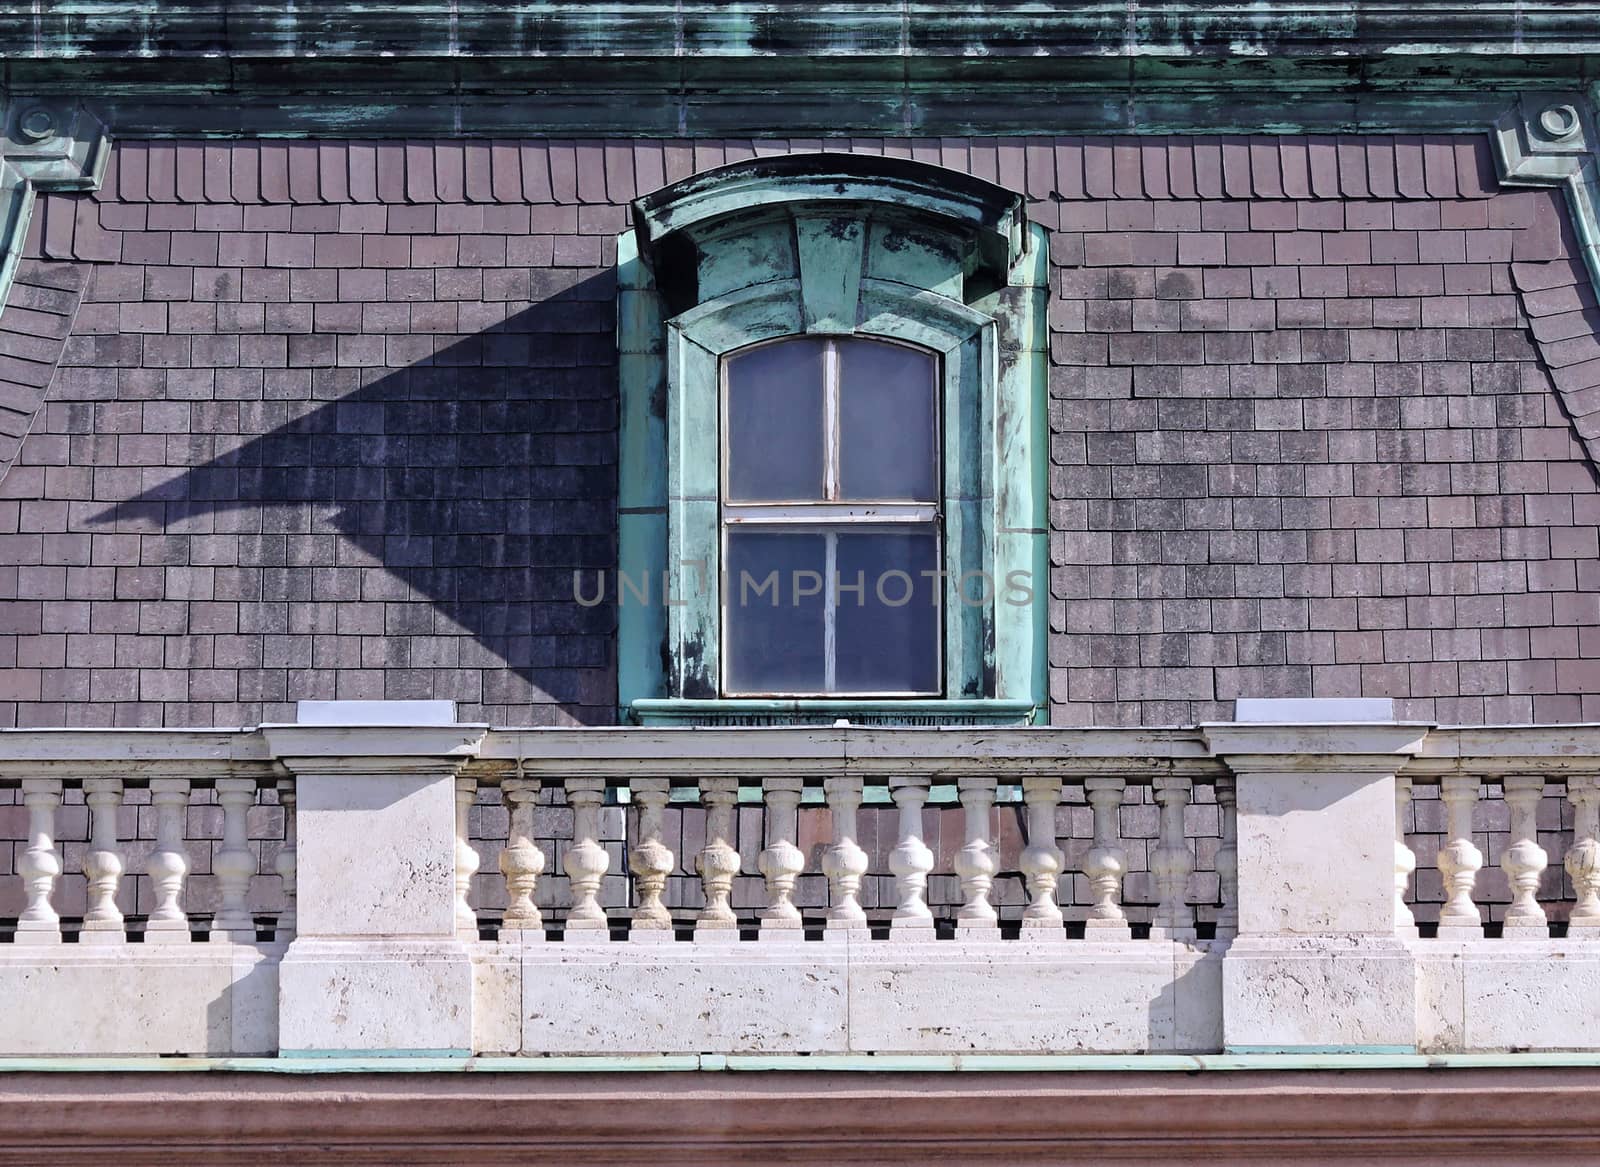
<point>889,436</point>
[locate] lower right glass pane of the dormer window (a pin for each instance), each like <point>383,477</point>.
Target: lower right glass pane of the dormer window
<point>889,632</point>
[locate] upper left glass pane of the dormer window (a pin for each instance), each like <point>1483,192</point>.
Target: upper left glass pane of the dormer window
<point>775,423</point>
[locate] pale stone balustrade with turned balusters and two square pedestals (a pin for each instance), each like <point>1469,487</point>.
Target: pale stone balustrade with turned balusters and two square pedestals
<point>750,907</point>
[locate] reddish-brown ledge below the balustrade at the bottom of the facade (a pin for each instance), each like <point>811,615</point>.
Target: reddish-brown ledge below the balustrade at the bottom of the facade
<point>1465,1117</point>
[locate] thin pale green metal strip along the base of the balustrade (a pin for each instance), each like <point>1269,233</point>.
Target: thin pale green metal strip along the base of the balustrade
<point>833,1064</point>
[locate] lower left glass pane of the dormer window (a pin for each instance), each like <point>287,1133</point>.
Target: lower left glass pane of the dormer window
<point>774,635</point>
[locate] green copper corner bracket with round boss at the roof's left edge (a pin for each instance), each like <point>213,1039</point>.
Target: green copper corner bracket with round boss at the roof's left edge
<point>47,146</point>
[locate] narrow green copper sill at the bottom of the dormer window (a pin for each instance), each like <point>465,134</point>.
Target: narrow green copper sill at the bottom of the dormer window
<point>825,712</point>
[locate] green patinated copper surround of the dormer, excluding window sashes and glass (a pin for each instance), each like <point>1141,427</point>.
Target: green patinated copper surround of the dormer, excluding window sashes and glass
<point>830,244</point>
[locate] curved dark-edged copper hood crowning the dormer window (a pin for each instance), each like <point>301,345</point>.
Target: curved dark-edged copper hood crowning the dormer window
<point>986,220</point>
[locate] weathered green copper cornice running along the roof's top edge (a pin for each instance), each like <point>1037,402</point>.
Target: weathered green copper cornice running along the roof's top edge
<point>706,68</point>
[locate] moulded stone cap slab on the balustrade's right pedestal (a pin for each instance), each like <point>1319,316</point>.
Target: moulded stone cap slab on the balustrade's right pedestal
<point>1322,747</point>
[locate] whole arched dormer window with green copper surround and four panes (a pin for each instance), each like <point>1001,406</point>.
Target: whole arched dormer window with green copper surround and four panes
<point>833,441</point>
